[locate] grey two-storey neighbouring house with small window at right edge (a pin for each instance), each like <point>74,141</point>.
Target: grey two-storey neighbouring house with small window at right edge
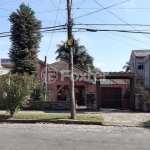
<point>140,64</point>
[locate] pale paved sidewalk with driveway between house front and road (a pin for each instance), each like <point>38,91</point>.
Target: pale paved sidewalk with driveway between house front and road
<point>111,116</point>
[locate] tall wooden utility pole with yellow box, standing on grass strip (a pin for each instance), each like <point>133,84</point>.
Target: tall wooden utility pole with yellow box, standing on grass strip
<point>70,44</point>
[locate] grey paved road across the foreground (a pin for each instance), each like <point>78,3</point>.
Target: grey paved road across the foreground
<point>72,137</point>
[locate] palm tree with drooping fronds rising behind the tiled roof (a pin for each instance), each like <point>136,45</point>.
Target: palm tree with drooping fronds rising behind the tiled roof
<point>81,58</point>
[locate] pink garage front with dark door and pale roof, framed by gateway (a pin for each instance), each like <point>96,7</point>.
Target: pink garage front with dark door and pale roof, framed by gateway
<point>115,93</point>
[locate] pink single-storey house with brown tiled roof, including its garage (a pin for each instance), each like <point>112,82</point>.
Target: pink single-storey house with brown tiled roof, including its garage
<point>57,83</point>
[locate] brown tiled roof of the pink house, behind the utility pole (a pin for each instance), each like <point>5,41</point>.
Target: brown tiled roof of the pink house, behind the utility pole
<point>63,65</point>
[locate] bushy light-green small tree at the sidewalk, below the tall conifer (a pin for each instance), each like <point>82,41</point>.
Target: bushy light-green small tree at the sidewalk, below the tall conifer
<point>16,90</point>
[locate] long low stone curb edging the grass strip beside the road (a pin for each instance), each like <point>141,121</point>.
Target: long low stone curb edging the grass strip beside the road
<point>59,121</point>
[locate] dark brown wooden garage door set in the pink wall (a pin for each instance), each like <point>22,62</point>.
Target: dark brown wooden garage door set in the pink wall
<point>111,97</point>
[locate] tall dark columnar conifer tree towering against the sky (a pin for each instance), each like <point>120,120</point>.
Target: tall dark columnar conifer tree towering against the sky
<point>26,36</point>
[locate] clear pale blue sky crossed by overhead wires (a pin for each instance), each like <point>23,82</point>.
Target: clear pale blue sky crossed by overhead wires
<point>110,50</point>
